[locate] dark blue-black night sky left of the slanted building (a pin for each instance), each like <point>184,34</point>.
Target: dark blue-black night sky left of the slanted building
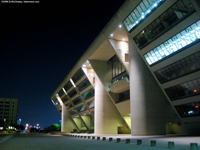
<point>40,44</point>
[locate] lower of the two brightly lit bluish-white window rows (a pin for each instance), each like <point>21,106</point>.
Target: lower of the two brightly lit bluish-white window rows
<point>174,44</point>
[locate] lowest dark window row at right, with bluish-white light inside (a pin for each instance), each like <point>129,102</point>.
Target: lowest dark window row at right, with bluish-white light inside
<point>189,110</point>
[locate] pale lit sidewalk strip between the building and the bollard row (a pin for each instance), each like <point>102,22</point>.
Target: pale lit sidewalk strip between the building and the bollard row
<point>180,142</point>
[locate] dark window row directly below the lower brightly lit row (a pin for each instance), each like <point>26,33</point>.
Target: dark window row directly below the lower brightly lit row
<point>179,68</point>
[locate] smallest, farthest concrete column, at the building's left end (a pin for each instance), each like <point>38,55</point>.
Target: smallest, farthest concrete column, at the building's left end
<point>67,123</point>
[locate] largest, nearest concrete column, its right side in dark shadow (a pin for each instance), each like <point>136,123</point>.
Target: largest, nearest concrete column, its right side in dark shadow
<point>150,110</point>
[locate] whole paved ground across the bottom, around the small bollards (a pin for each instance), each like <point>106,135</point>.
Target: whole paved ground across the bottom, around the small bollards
<point>57,142</point>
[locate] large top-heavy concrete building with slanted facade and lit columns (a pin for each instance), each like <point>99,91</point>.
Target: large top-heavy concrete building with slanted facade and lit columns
<point>141,75</point>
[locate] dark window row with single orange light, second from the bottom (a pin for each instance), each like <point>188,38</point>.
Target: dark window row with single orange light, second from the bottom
<point>183,90</point>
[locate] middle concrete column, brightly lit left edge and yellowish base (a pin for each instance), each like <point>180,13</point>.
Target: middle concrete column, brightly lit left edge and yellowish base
<point>106,114</point>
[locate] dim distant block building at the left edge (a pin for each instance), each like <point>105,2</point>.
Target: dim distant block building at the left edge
<point>8,111</point>
